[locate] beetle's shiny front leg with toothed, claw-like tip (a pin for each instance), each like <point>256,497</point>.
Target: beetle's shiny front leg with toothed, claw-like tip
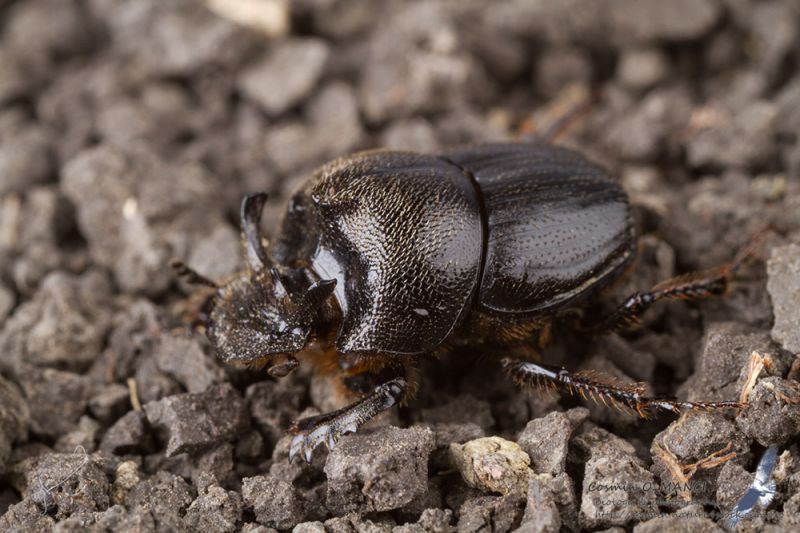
<point>313,431</point>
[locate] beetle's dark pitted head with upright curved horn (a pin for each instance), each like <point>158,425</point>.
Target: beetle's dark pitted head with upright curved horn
<point>266,310</point>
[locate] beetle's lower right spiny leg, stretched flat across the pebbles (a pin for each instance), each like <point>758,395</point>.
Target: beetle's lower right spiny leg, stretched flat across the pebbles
<point>630,397</point>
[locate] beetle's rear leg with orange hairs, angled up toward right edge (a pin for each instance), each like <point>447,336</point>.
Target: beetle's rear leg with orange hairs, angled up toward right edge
<point>691,286</point>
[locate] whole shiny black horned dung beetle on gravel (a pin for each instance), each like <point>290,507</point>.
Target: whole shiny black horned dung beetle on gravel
<point>386,257</point>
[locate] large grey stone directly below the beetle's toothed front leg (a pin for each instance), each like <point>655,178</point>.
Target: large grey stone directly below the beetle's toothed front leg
<point>378,471</point>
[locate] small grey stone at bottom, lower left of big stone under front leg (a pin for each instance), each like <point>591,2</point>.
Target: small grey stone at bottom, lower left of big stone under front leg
<point>275,502</point>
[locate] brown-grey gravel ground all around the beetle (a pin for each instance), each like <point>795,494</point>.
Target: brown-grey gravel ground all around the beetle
<point>129,131</point>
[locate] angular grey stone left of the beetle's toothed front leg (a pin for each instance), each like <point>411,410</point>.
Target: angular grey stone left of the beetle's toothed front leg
<point>195,422</point>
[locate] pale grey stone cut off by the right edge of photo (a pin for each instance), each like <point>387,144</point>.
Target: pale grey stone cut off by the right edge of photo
<point>783,284</point>
